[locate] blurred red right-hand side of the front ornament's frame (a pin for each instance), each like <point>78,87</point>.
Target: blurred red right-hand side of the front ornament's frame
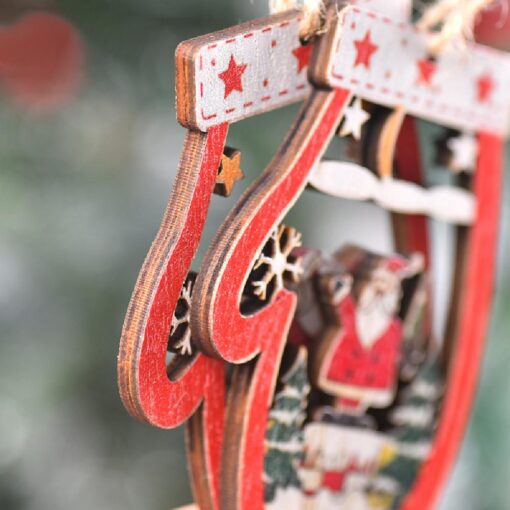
<point>475,313</point>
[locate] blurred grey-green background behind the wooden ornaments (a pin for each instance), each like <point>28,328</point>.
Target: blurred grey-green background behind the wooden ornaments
<point>82,192</point>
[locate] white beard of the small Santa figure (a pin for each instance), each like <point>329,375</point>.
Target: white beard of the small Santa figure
<point>372,321</point>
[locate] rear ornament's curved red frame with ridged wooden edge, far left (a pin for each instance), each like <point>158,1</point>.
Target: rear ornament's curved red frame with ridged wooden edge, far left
<point>145,388</point>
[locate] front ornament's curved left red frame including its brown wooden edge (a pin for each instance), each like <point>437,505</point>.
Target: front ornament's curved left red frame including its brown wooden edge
<point>223,331</point>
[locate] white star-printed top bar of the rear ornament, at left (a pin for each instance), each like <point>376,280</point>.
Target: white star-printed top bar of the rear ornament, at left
<point>241,71</point>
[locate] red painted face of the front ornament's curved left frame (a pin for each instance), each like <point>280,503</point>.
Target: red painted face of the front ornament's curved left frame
<point>238,338</point>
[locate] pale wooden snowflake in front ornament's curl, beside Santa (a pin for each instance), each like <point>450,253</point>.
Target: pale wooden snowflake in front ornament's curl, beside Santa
<point>279,261</point>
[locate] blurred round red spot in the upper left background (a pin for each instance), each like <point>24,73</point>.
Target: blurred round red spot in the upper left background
<point>41,61</point>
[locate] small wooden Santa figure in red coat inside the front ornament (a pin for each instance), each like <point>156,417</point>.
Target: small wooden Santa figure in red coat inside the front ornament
<point>358,355</point>
